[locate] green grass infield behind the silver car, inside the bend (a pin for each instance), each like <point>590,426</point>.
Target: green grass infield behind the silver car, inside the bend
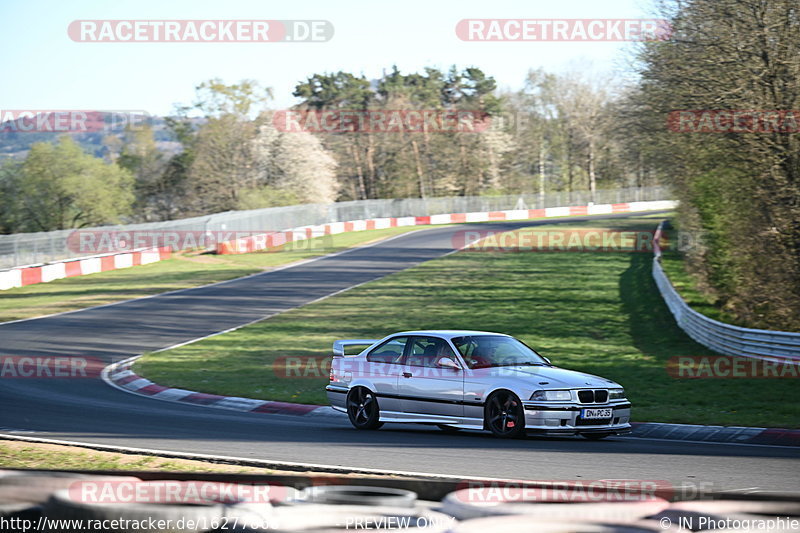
<point>595,312</point>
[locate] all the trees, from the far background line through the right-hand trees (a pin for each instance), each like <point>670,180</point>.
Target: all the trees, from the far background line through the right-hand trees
<point>738,189</point>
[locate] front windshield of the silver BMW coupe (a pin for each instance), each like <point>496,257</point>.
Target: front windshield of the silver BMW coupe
<point>486,351</point>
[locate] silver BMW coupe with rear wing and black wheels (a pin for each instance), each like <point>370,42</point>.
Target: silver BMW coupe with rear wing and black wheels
<point>471,380</point>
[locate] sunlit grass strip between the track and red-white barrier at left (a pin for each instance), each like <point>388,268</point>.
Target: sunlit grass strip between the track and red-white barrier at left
<point>180,272</point>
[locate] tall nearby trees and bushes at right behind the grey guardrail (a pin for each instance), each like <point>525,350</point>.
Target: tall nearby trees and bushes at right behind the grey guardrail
<point>739,189</point>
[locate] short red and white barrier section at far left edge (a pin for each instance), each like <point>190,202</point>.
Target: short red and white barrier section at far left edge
<point>31,274</point>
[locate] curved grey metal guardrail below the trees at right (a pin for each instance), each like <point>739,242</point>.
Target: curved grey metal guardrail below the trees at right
<point>723,338</point>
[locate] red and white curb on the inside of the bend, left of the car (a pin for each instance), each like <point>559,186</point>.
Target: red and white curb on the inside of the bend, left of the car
<point>120,376</point>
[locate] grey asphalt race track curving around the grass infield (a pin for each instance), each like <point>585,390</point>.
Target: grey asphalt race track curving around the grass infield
<point>91,411</point>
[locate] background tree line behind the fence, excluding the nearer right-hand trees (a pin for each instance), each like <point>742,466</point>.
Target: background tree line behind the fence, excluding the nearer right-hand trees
<point>552,135</point>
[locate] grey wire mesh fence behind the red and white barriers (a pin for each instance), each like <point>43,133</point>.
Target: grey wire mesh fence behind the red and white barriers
<point>36,248</point>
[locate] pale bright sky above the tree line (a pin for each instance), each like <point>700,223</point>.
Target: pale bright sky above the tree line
<point>44,69</point>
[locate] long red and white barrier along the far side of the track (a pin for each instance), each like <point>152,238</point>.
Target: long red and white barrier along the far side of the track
<point>268,240</point>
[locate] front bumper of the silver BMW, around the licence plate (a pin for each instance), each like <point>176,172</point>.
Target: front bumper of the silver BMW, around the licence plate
<point>566,419</point>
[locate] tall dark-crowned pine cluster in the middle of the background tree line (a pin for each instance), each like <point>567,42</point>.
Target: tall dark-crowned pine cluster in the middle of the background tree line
<point>404,163</point>
